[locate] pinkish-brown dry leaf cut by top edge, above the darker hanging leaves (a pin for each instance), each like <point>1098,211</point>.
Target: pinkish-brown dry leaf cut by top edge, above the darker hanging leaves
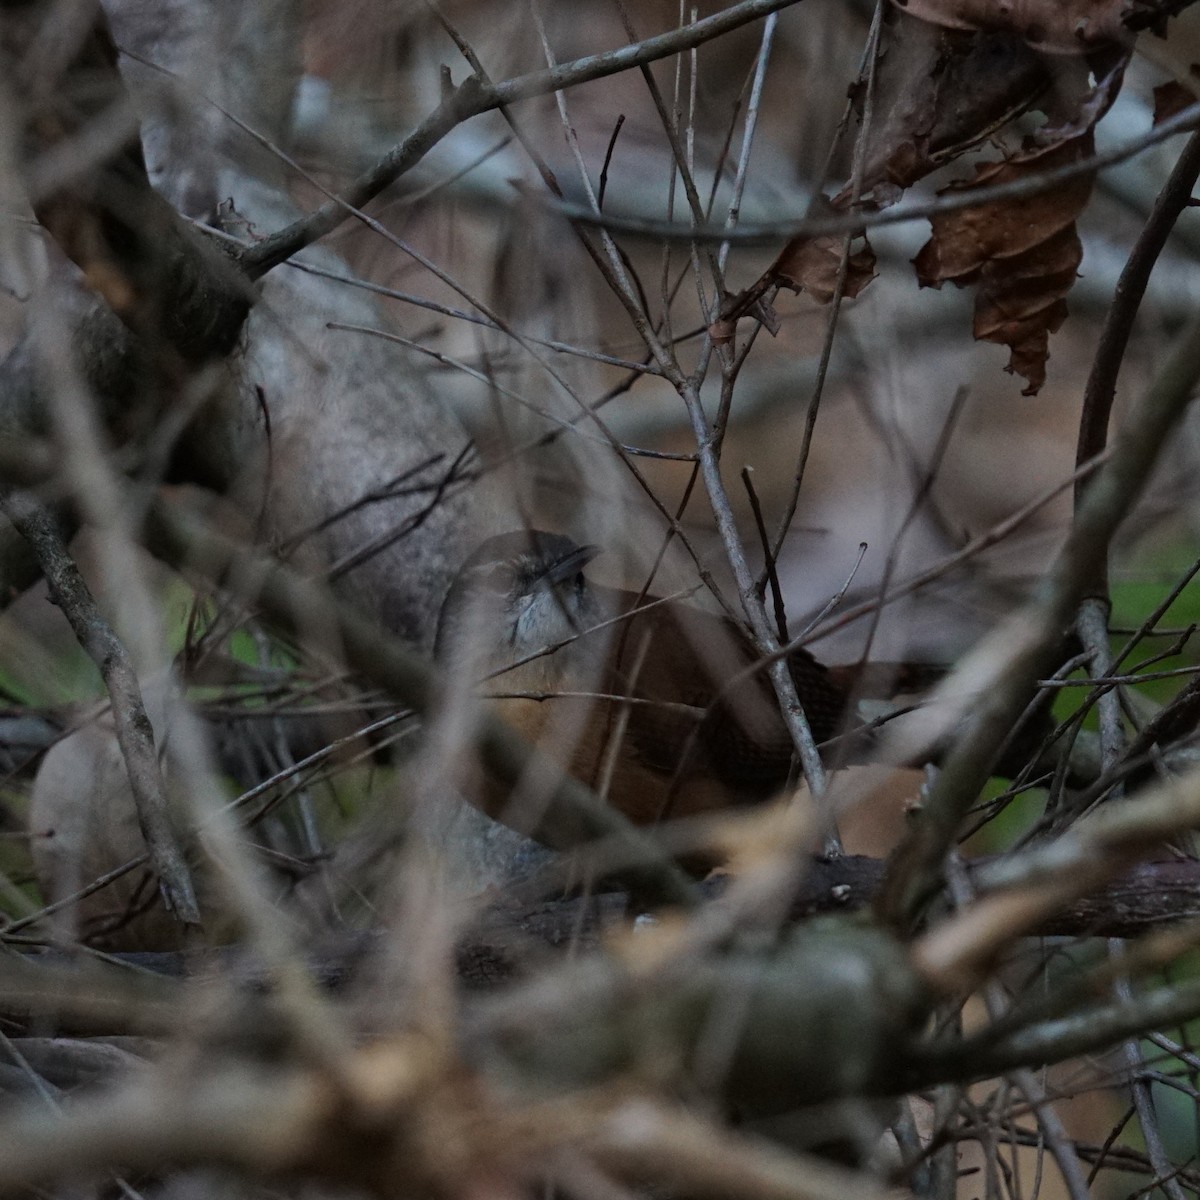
<point>1054,27</point>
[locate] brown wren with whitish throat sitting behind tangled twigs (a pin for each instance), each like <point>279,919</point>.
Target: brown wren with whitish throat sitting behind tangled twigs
<point>657,705</point>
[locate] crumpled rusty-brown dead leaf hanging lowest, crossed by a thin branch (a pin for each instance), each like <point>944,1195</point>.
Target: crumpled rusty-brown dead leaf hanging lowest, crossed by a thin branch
<point>1023,255</point>
